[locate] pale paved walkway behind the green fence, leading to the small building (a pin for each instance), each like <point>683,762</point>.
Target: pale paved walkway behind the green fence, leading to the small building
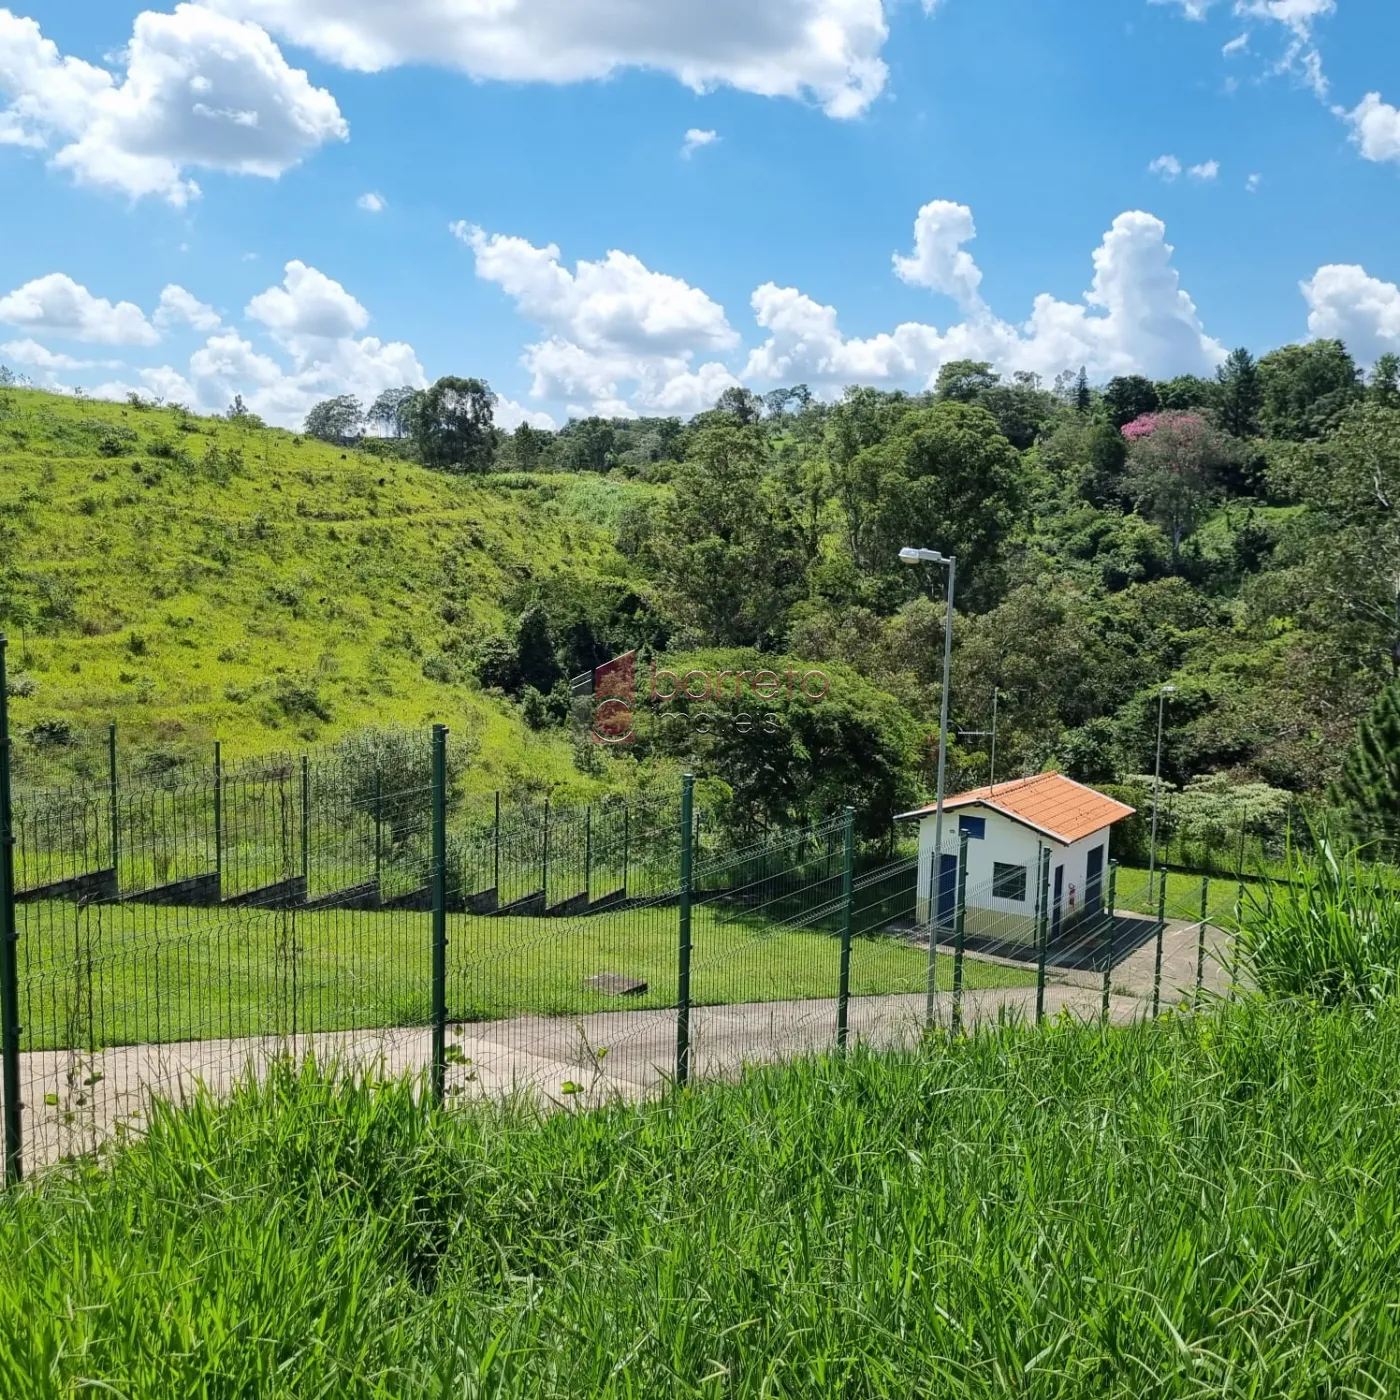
<point>76,1102</point>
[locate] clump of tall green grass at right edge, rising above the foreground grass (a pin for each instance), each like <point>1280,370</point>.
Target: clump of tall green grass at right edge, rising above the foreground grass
<point>1328,929</point>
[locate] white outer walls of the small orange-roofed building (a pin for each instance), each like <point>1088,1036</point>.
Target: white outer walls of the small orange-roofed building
<point>1007,843</point>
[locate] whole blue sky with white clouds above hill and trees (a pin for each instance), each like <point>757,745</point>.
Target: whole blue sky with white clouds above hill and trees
<point>181,192</point>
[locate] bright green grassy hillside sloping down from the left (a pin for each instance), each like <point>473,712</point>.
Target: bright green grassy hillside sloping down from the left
<point>197,579</point>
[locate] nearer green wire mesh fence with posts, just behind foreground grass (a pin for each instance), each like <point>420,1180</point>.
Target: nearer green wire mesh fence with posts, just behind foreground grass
<point>356,904</point>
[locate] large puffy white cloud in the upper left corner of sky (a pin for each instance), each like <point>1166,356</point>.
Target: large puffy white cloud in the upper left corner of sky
<point>201,90</point>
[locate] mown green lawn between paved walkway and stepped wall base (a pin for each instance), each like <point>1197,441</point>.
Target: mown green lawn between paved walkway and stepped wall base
<point>124,975</point>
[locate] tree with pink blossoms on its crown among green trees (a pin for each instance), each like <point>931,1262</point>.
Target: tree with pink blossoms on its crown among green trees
<point>1175,461</point>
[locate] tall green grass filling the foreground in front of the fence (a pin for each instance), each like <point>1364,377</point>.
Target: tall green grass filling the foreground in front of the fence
<point>1193,1207</point>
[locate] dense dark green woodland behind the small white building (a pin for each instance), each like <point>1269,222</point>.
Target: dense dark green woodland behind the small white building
<point>1237,537</point>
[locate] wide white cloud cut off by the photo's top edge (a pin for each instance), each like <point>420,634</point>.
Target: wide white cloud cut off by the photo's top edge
<point>828,51</point>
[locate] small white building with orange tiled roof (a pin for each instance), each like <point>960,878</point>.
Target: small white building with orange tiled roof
<point>1011,829</point>
